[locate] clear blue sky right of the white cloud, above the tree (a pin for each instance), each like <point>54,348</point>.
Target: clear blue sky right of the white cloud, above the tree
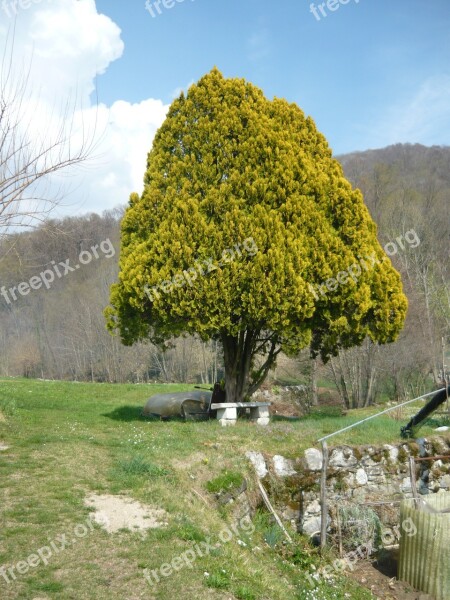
<point>362,72</point>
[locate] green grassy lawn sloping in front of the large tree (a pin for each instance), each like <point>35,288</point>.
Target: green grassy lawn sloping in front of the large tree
<point>69,440</point>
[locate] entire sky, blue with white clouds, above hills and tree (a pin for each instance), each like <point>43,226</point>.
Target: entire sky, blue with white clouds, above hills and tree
<point>370,73</point>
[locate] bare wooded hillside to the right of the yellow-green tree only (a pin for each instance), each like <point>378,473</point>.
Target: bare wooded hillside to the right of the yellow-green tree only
<point>406,188</point>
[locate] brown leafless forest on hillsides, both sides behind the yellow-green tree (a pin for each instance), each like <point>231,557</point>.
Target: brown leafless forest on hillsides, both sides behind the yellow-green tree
<point>55,280</point>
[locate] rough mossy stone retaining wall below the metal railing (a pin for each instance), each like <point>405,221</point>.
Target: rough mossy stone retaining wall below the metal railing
<point>369,476</point>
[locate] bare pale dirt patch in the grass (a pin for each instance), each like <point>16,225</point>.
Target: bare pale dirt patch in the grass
<point>117,512</point>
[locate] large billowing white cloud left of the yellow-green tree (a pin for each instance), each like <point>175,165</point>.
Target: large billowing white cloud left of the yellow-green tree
<point>68,44</point>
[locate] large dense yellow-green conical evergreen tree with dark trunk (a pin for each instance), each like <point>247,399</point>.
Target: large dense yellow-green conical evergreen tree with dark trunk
<point>249,187</point>
